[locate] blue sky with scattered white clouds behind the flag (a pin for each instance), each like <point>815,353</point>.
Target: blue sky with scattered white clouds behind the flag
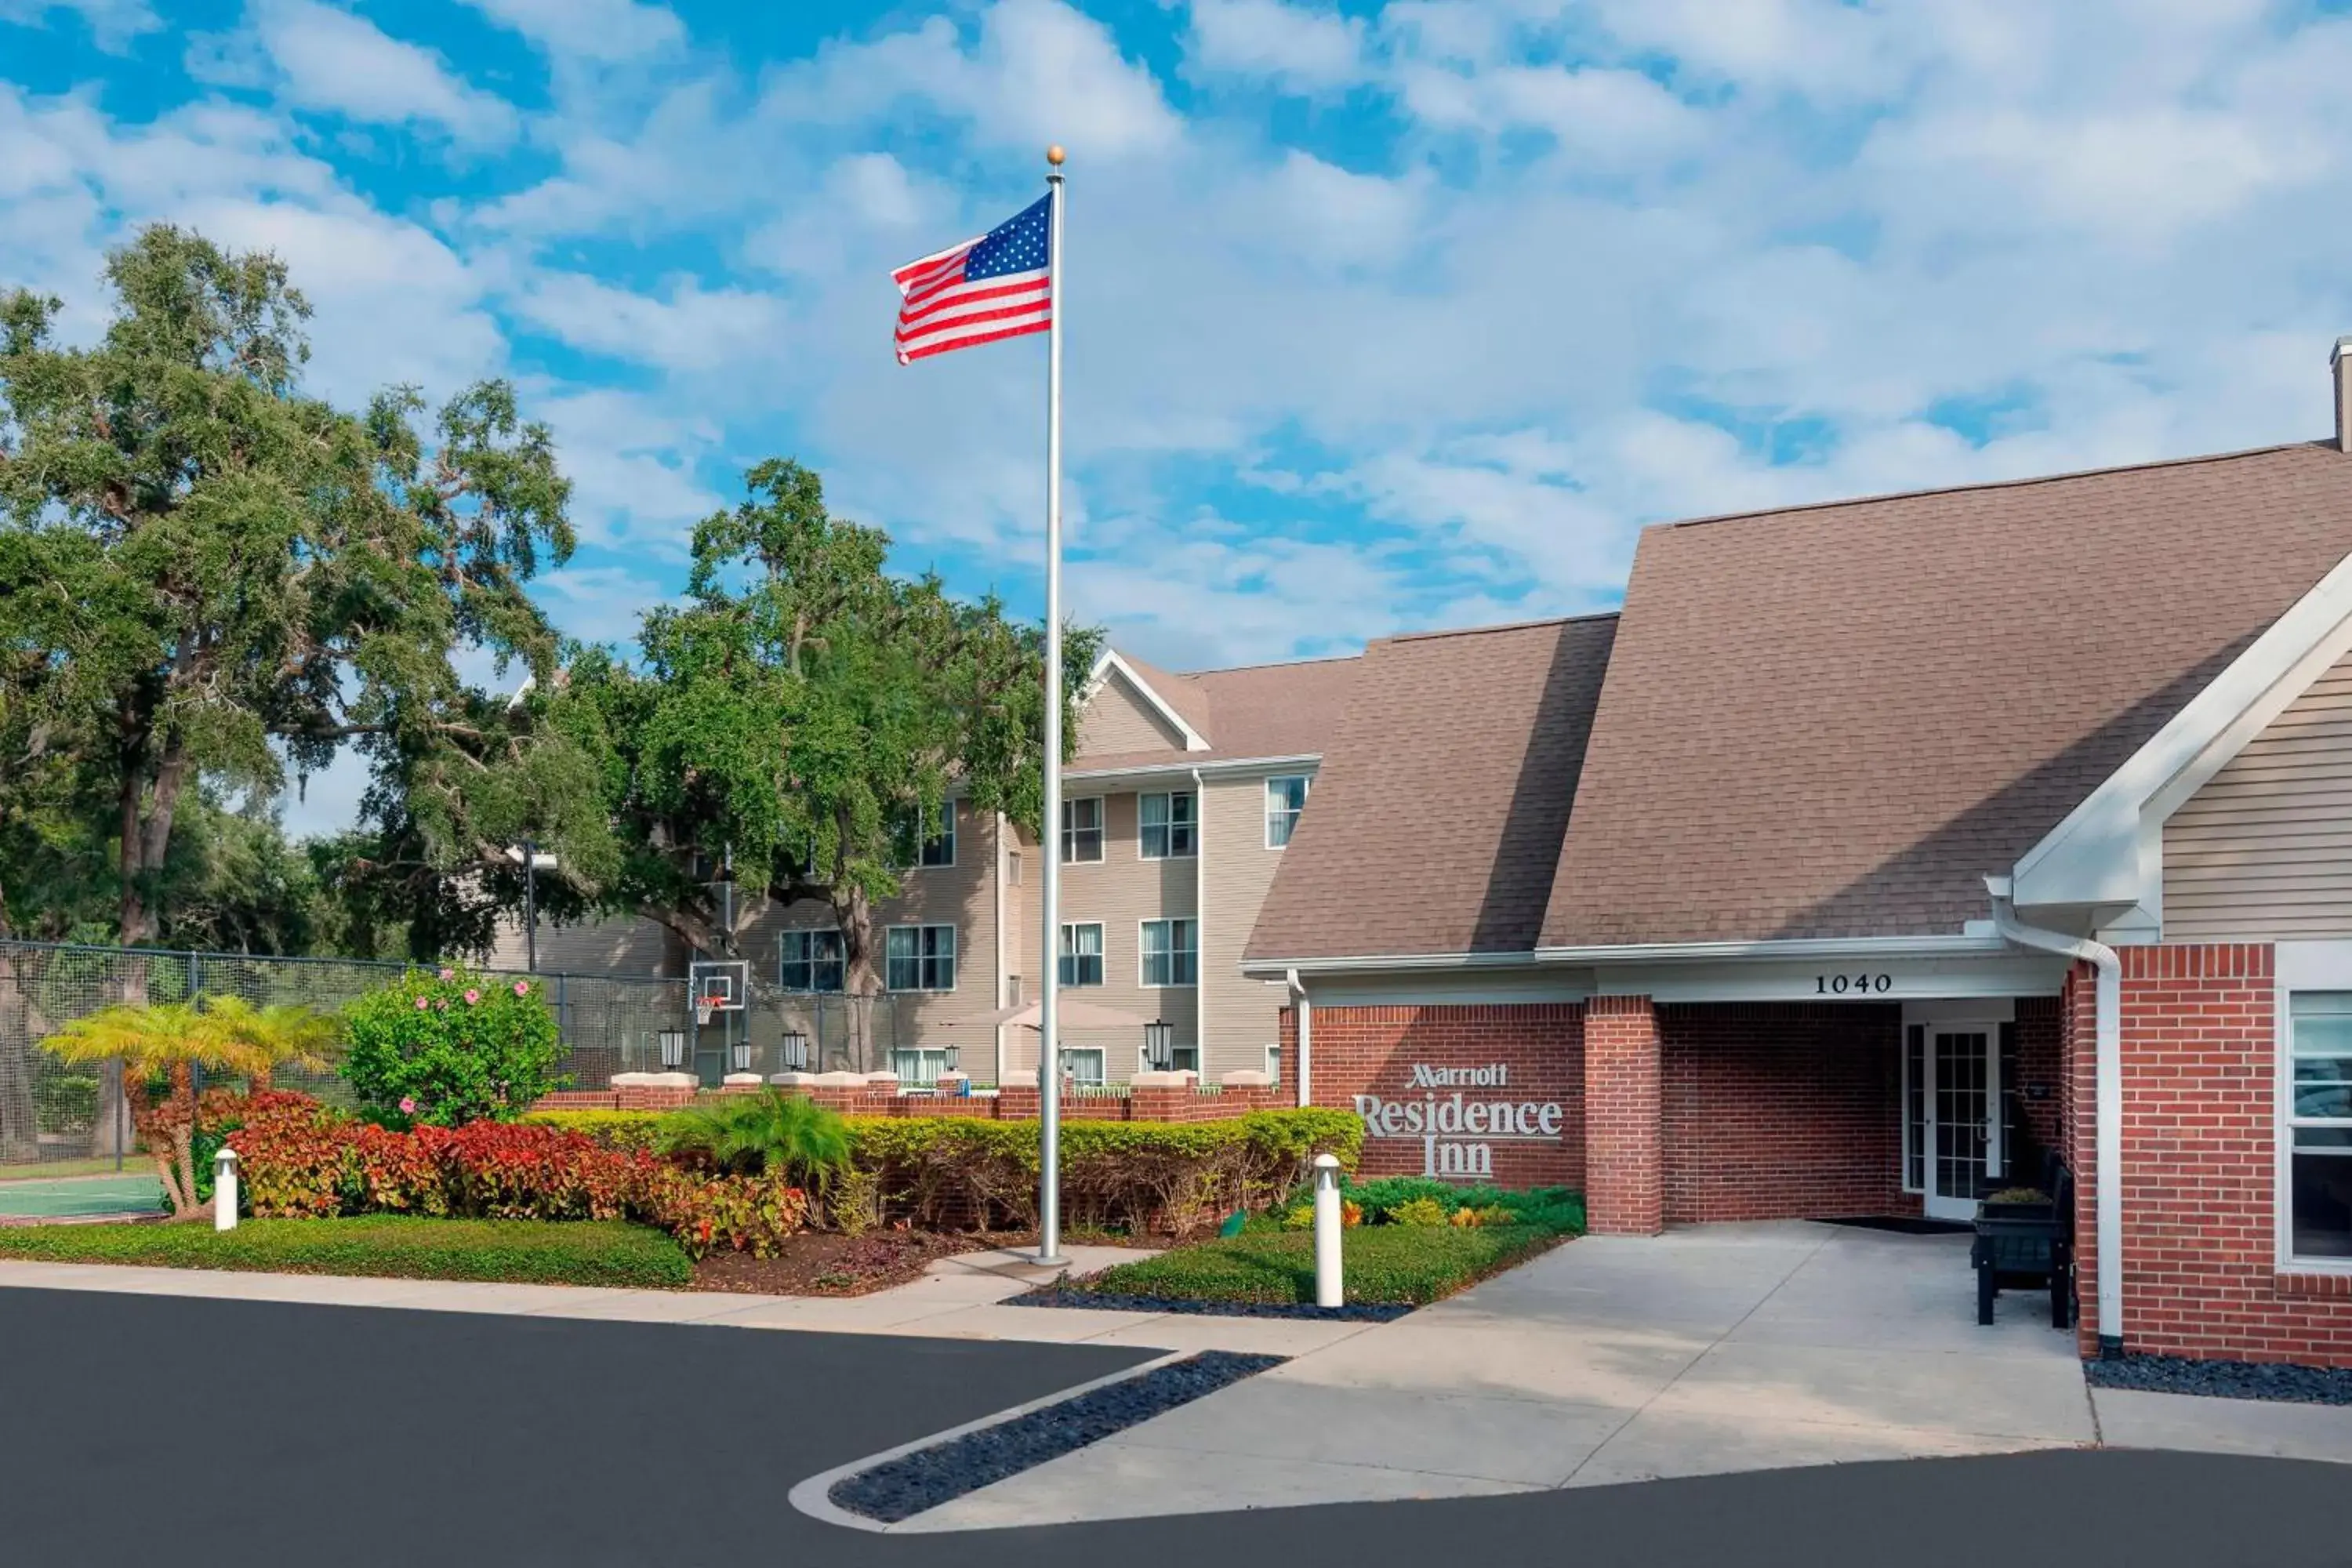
<point>1382,316</point>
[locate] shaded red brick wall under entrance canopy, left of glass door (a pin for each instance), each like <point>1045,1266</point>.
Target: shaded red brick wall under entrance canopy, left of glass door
<point>1782,1111</point>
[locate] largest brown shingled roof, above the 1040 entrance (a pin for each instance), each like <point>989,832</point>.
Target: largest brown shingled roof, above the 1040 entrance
<point>1836,721</point>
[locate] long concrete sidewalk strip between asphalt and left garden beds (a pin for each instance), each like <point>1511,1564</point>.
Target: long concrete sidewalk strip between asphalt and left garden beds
<point>958,1299</point>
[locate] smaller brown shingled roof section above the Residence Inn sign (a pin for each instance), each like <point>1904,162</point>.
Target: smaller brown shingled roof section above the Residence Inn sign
<point>1438,810</point>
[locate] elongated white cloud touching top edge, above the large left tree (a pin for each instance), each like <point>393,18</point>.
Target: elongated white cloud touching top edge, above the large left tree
<point>338,62</point>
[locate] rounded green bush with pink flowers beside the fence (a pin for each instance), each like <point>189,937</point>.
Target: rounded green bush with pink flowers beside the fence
<point>450,1047</point>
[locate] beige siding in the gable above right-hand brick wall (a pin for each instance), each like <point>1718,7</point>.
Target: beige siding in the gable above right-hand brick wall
<point>2266,847</point>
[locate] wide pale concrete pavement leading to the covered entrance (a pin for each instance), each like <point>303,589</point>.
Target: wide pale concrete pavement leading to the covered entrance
<point>1624,1360</point>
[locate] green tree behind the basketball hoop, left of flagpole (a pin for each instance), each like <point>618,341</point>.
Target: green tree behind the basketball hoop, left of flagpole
<point>796,716</point>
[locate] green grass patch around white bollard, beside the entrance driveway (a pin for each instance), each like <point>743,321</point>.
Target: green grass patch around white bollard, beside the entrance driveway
<point>1382,1264</point>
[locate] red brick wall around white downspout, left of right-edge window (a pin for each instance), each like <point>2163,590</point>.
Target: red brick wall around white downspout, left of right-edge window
<point>2200,1177</point>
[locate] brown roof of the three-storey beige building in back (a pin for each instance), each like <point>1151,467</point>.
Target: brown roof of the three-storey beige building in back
<point>1255,711</point>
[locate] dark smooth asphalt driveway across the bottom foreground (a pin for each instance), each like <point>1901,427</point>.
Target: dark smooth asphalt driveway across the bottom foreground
<point>149,1430</point>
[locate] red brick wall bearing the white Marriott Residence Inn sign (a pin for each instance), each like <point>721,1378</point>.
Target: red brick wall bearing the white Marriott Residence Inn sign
<point>1372,1052</point>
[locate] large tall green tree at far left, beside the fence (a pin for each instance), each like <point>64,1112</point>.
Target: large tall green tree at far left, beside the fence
<point>208,575</point>
